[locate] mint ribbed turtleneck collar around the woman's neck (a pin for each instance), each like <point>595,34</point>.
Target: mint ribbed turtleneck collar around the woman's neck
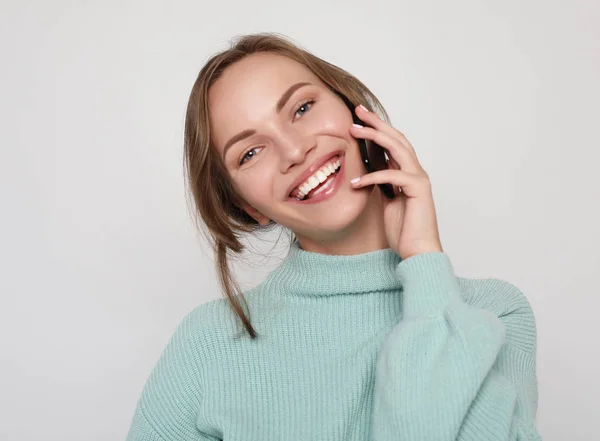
<point>306,273</point>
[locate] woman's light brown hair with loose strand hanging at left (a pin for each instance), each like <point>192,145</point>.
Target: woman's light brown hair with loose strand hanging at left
<point>216,211</point>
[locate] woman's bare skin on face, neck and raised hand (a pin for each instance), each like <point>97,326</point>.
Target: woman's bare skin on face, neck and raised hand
<point>358,218</point>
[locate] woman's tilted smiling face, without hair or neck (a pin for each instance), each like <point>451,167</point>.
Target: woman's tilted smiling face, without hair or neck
<point>272,120</point>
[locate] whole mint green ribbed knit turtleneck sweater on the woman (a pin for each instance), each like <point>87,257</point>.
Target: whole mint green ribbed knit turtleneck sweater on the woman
<point>351,348</point>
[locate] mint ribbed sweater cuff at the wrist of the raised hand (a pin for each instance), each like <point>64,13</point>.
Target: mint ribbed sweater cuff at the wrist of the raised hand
<point>429,284</point>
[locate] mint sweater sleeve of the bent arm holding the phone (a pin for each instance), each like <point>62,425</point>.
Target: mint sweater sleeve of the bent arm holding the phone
<point>450,371</point>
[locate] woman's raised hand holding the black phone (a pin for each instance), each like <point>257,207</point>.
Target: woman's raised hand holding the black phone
<point>410,219</point>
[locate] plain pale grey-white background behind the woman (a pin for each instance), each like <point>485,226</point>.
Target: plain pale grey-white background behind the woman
<point>99,258</point>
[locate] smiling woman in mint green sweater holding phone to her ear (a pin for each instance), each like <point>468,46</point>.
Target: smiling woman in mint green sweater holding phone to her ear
<point>363,332</point>
